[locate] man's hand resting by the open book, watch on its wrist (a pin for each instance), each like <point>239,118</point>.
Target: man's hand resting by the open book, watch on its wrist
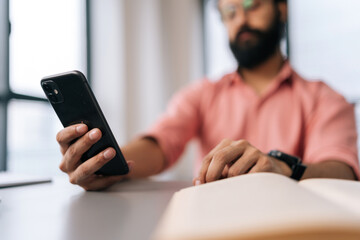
<point>232,158</point>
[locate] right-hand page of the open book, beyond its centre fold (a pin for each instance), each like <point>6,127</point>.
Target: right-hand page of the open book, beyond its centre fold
<point>342,192</point>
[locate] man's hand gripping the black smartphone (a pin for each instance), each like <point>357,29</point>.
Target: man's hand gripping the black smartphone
<point>83,174</point>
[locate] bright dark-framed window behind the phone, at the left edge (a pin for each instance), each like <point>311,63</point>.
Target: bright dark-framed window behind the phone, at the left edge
<point>47,37</point>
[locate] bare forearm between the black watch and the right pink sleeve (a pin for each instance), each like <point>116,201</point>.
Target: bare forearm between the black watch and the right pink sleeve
<point>329,169</point>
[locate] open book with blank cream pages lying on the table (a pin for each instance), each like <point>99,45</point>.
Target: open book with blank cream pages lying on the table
<point>264,206</point>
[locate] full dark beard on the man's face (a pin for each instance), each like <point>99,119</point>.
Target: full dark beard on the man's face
<point>250,55</point>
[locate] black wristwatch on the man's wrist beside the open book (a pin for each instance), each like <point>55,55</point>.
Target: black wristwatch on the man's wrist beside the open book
<point>293,162</point>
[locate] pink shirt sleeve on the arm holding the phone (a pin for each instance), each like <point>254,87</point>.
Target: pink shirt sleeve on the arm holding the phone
<point>179,123</point>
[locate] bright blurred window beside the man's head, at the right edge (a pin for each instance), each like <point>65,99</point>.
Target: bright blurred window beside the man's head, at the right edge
<point>324,42</point>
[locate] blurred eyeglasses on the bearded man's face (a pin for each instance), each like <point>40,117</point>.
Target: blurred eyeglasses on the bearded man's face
<point>229,11</point>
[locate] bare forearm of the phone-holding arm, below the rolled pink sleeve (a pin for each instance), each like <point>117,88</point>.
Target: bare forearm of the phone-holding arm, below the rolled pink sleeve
<point>147,156</point>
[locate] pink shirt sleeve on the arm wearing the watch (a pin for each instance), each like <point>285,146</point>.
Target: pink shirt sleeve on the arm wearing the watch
<point>331,131</point>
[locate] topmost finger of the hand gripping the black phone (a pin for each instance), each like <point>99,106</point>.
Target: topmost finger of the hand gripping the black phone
<point>69,134</point>
